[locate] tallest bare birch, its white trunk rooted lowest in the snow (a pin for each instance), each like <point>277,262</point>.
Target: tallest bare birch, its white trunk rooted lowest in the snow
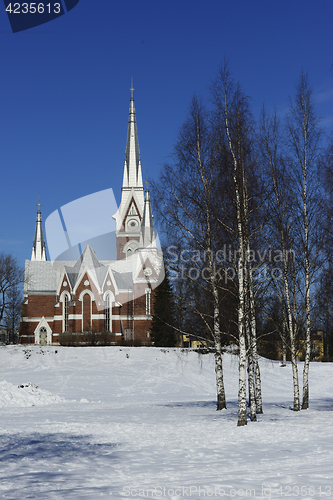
<point>233,116</point>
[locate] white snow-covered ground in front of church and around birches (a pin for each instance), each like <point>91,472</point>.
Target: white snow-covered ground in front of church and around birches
<point>87,423</point>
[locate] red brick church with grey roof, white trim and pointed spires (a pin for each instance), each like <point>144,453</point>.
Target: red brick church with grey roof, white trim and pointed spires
<point>93,295</point>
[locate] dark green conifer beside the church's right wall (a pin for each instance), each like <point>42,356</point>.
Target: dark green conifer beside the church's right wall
<point>162,331</point>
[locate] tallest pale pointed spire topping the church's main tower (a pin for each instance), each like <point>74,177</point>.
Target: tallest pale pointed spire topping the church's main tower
<point>132,168</point>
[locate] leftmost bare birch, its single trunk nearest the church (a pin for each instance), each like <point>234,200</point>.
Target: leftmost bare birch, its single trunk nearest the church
<point>186,197</point>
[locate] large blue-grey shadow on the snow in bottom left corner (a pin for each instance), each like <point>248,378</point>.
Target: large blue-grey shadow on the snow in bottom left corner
<point>57,466</point>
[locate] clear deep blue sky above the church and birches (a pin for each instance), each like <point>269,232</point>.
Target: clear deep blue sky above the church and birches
<point>64,96</point>
